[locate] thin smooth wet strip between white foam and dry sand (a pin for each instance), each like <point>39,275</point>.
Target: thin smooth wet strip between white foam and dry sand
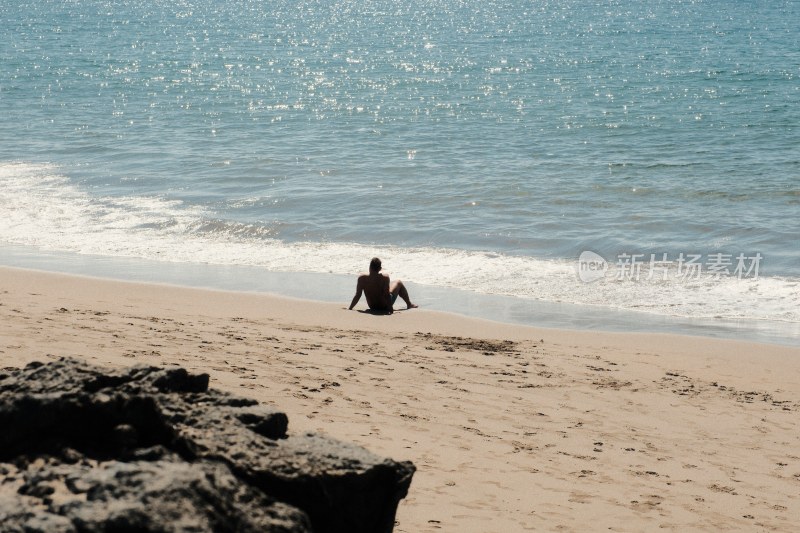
<point>337,288</point>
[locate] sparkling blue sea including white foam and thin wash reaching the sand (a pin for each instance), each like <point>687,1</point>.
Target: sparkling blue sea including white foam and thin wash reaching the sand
<point>637,163</point>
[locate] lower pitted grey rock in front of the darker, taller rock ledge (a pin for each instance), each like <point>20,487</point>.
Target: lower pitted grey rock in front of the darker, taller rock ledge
<point>164,495</point>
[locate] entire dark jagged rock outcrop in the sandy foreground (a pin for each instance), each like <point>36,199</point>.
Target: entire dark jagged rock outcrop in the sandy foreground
<point>84,448</point>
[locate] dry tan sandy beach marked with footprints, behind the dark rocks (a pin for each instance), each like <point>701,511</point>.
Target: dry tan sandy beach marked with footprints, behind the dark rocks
<point>511,428</point>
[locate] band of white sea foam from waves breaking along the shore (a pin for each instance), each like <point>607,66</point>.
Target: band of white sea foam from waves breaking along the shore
<point>40,207</point>
